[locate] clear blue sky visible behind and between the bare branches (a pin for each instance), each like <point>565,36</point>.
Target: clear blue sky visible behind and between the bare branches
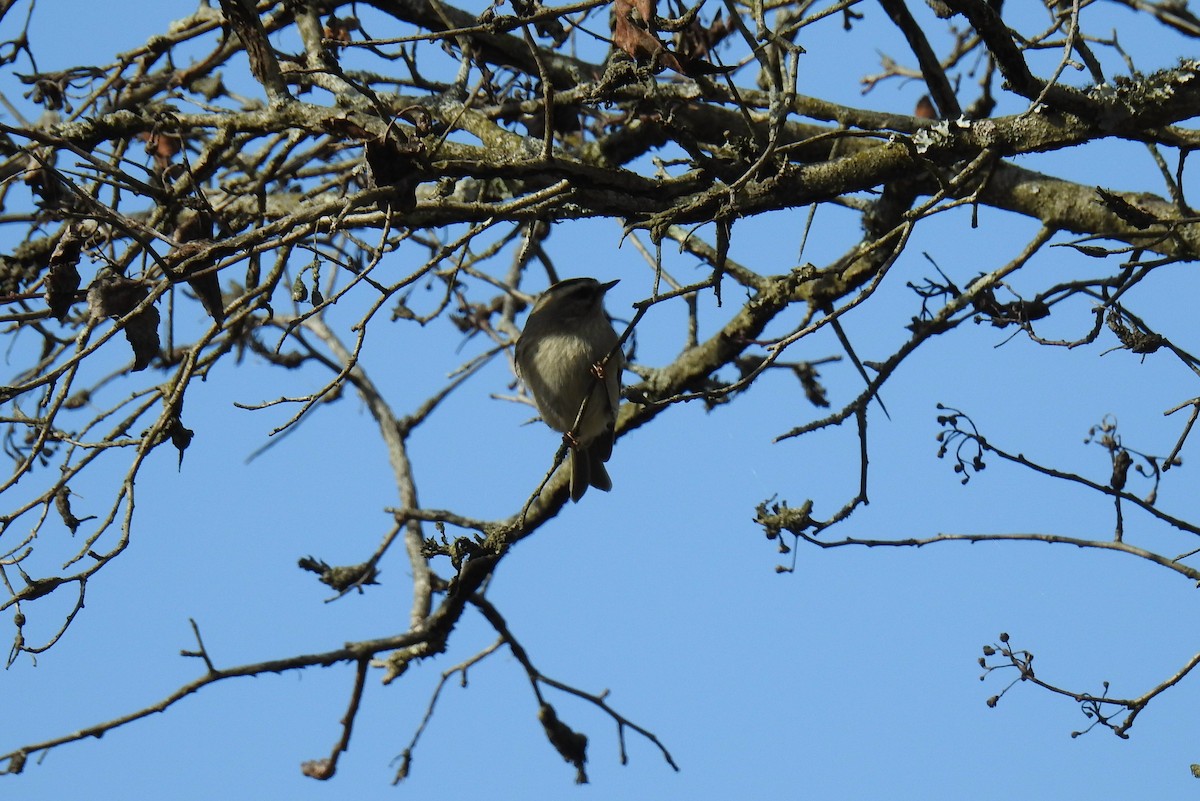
<point>855,677</point>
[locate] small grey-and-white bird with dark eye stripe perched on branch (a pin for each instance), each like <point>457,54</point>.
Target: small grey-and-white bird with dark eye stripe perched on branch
<point>561,358</point>
